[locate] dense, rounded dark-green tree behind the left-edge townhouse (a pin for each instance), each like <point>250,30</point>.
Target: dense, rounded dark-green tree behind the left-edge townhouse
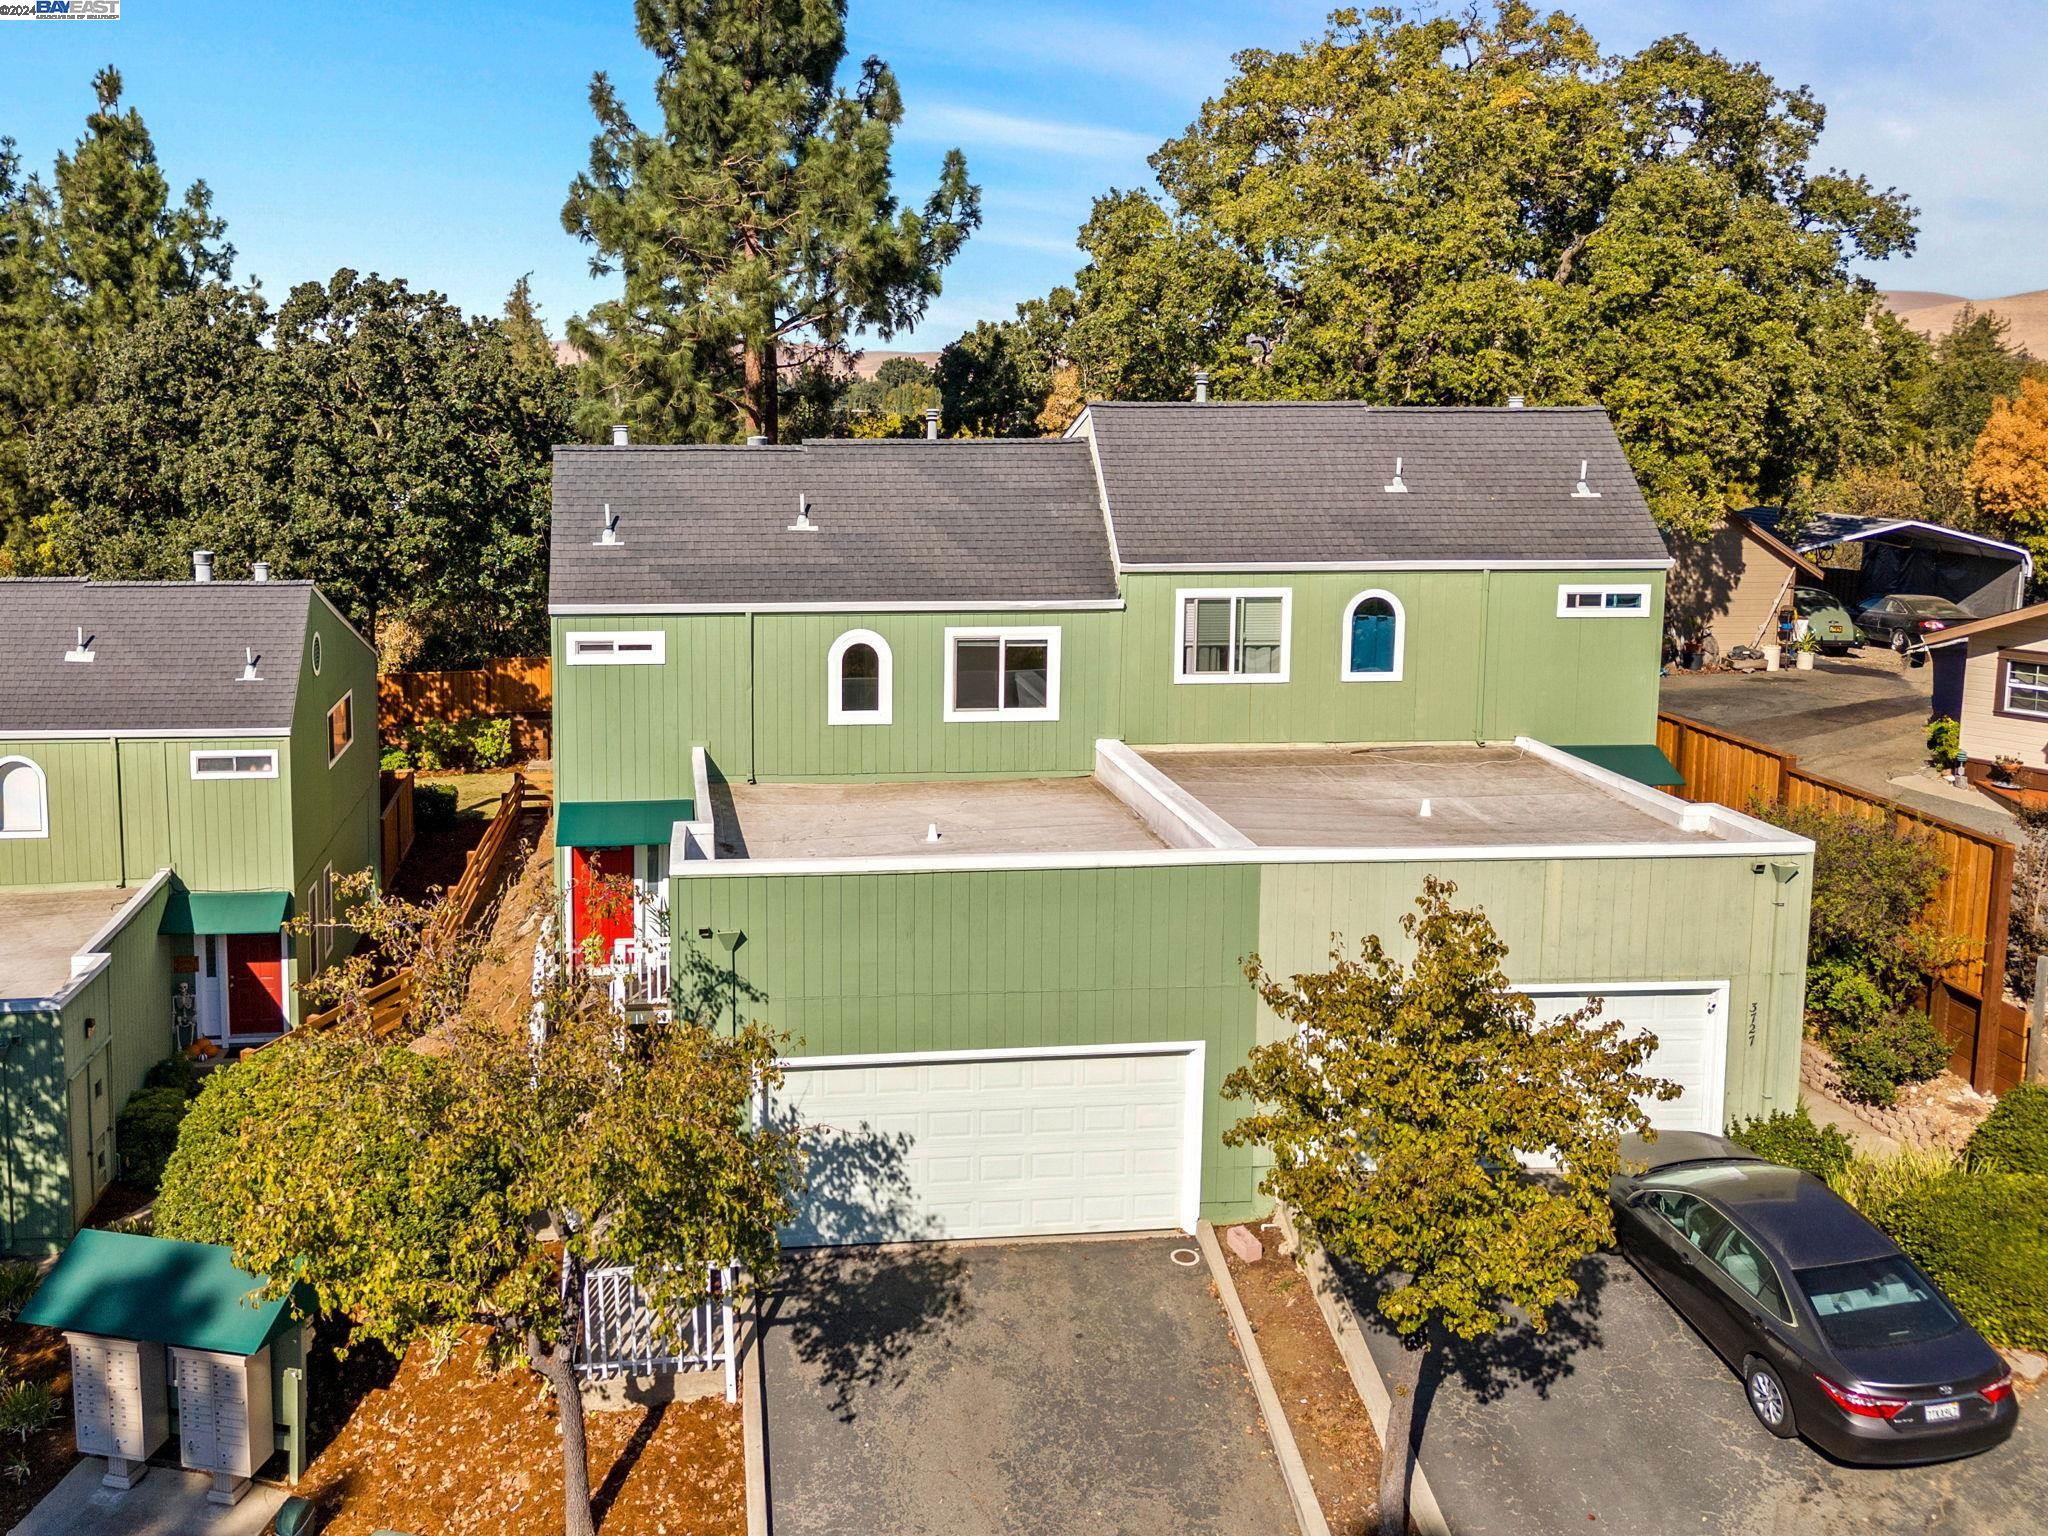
<point>382,443</point>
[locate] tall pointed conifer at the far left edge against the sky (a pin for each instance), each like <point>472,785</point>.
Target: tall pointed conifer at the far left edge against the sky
<point>85,257</point>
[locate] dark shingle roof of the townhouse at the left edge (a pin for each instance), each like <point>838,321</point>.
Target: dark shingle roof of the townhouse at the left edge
<point>167,656</point>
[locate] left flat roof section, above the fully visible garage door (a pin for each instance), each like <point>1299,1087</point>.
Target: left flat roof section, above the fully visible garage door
<point>1005,816</point>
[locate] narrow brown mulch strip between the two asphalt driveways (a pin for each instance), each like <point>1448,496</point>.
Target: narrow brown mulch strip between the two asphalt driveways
<point>1332,1426</point>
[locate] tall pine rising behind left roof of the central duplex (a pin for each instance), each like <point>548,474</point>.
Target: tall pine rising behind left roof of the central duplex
<point>759,212</point>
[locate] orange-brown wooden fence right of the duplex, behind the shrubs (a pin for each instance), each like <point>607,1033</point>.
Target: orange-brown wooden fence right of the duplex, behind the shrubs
<point>1967,1002</point>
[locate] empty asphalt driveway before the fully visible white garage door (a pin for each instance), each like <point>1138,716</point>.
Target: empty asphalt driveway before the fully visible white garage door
<point>1011,1388</point>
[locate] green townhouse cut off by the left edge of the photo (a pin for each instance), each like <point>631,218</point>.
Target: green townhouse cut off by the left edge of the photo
<point>183,767</point>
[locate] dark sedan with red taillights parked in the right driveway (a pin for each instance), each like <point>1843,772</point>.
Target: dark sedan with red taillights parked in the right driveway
<point>1836,1332</point>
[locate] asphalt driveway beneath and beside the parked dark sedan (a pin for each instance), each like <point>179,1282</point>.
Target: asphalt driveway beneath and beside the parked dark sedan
<point>1621,1418</point>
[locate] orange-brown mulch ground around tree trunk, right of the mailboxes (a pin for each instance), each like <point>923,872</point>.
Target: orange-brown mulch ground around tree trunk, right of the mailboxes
<point>460,1451</point>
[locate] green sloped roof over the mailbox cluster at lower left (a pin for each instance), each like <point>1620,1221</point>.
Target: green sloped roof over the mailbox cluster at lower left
<point>187,1295</point>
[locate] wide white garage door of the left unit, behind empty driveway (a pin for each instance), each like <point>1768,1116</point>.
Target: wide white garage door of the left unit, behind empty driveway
<point>996,1146</point>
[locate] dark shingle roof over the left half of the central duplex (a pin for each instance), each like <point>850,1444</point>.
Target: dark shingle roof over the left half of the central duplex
<point>914,521</point>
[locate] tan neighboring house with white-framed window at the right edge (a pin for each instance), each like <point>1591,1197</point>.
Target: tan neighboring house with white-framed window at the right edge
<point>1992,677</point>
